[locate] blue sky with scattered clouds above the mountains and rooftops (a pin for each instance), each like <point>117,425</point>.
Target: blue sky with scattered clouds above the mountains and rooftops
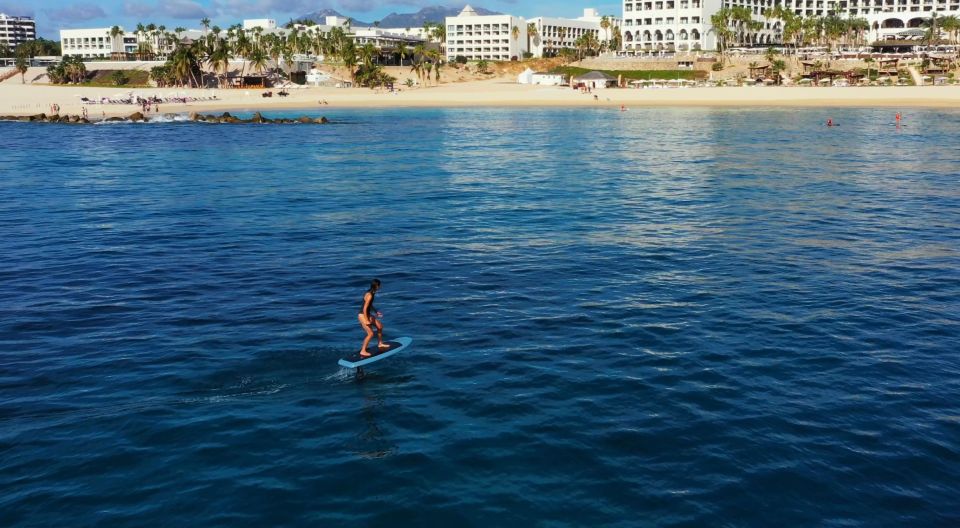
<point>53,15</point>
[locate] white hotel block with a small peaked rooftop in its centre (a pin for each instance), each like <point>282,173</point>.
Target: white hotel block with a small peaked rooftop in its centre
<point>486,37</point>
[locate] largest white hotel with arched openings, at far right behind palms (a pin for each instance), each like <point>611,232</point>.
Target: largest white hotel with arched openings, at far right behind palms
<point>684,25</point>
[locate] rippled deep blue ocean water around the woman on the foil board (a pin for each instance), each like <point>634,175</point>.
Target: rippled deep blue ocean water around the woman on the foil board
<point>663,317</point>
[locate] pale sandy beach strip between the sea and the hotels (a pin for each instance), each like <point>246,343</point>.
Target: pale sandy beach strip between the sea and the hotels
<point>26,99</point>
